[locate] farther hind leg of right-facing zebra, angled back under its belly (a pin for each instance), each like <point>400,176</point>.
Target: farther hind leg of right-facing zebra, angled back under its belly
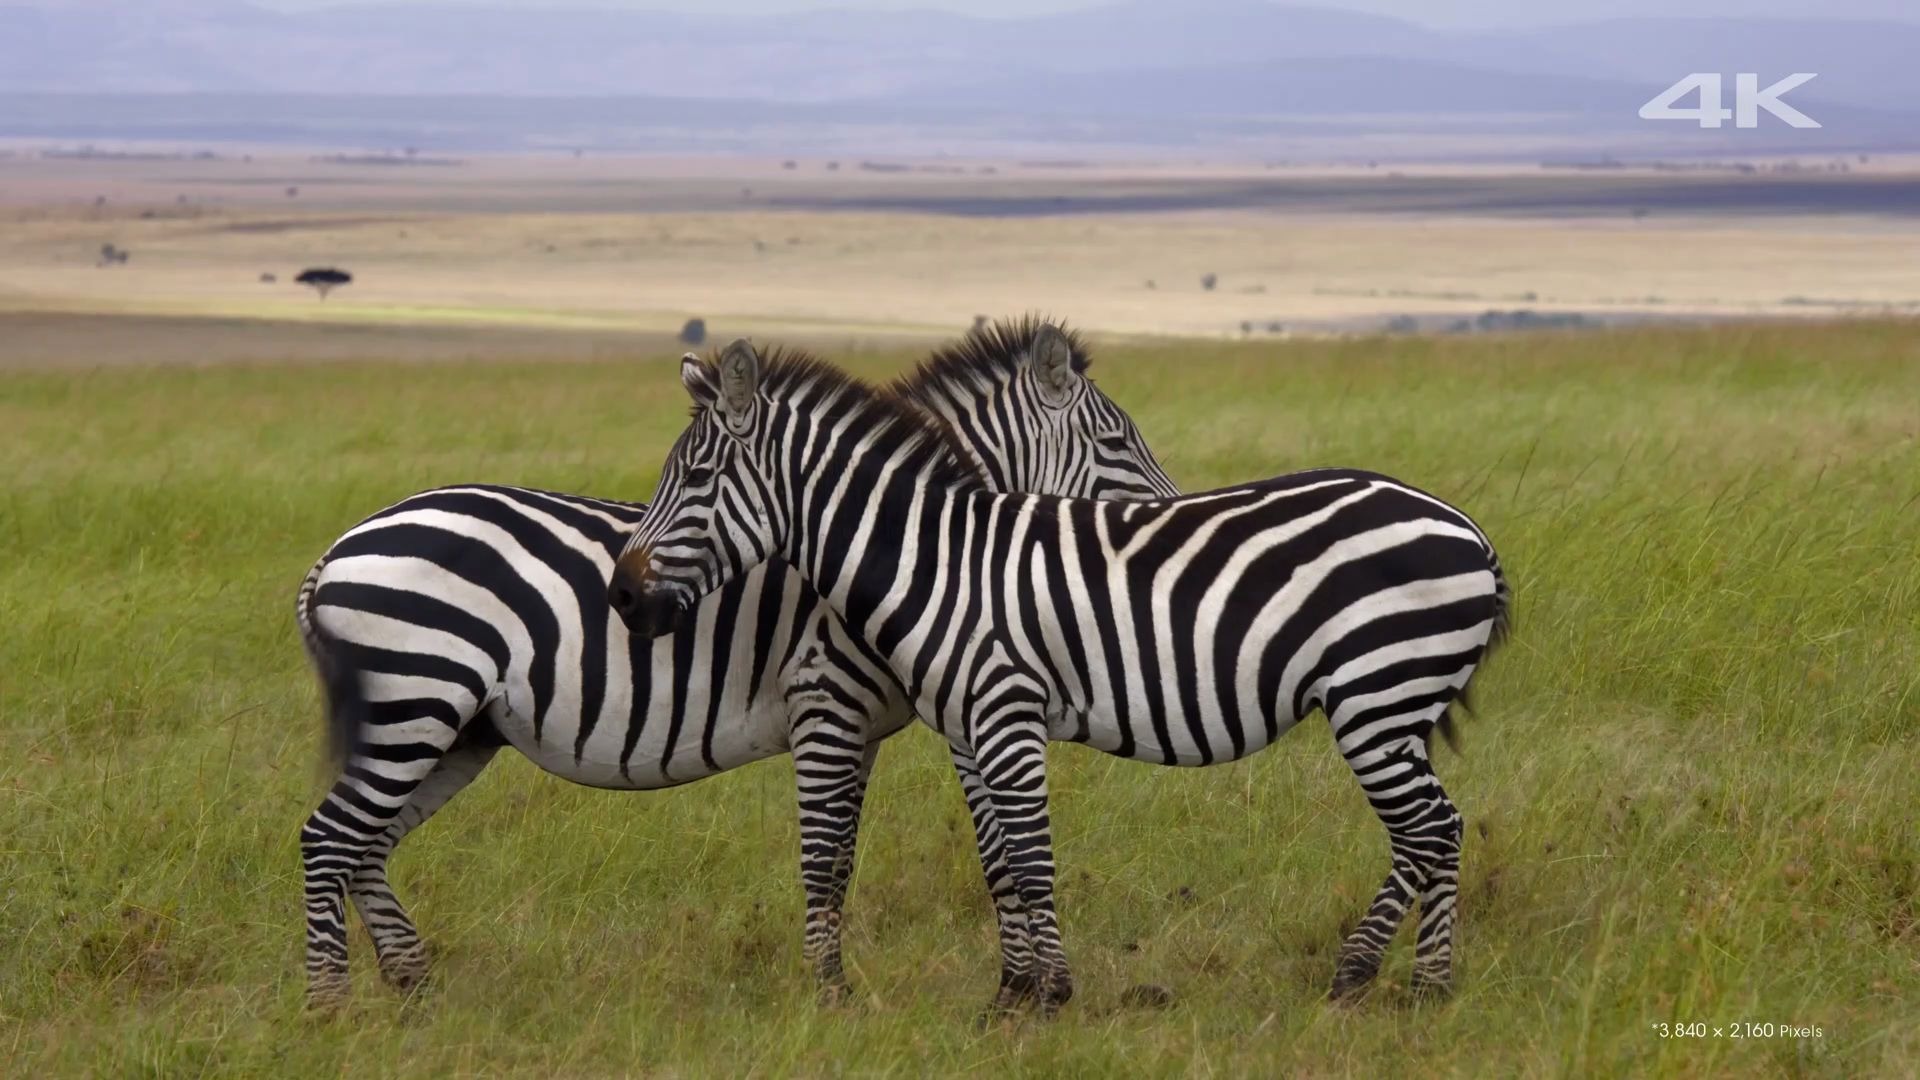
<point>395,937</point>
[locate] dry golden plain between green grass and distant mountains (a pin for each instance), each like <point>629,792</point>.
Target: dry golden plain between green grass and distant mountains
<point>642,247</point>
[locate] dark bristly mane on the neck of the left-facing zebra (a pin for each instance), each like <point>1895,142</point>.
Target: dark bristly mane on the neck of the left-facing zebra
<point>828,395</point>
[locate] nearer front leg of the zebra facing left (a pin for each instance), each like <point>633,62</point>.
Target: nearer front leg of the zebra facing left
<point>1013,758</point>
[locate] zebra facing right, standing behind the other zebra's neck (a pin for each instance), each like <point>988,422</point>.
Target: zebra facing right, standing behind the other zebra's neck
<point>473,618</point>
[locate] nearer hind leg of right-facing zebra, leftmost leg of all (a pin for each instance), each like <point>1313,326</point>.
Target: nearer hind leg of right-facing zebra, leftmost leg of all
<point>373,789</point>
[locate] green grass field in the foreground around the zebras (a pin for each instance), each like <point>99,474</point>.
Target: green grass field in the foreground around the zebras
<point>1691,789</point>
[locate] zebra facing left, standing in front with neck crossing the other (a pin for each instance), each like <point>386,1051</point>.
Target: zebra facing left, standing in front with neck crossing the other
<point>1182,631</point>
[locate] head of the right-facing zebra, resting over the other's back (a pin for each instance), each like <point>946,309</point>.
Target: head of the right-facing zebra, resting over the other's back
<point>1019,397</point>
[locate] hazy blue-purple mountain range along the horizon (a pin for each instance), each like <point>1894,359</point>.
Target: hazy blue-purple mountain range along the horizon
<point>1138,64</point>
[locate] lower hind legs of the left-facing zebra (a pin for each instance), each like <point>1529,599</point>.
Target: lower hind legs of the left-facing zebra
<point>1424,831</point>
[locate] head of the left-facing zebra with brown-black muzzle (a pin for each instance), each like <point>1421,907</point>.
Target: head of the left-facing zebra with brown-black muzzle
<point>709,520</point>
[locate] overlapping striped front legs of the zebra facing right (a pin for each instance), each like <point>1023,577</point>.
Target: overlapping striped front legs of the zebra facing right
<point>832,762</point>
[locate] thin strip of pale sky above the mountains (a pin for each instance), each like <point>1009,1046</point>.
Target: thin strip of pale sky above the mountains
<point>1429,12</point>
